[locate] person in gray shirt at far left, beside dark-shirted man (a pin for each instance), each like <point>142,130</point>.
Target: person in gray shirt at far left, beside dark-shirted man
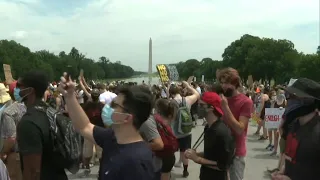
<point>9,120</point>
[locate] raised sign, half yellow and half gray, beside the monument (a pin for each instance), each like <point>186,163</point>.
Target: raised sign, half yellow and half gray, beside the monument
<point>167,72</point>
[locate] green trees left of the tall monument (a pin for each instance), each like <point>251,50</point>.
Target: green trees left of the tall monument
<point>23,60</point>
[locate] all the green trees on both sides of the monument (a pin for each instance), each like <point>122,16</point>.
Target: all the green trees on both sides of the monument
<point>263,58</point>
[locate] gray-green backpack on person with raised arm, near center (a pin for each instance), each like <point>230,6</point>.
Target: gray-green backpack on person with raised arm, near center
<point>185,123</point>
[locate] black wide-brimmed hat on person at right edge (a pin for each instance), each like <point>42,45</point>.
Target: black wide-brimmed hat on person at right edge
<point>306,88</point>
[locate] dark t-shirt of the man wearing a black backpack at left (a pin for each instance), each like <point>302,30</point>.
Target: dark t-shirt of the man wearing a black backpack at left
<point>34,138</point>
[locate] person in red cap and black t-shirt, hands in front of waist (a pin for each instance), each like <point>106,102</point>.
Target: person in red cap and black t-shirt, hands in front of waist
<point>218,141</point>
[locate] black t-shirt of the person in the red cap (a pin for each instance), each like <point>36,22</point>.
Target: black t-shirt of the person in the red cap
<point>218,146</point>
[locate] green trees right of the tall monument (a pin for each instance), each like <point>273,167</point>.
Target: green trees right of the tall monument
<point>263,58</point>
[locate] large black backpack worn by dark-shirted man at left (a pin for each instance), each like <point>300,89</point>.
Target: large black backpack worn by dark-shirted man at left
<point>66,142</point>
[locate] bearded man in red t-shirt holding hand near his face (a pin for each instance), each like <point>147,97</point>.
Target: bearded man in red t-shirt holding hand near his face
<point>237,109</point>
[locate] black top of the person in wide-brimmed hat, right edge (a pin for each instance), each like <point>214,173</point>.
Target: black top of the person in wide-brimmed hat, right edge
<point>303,151</point>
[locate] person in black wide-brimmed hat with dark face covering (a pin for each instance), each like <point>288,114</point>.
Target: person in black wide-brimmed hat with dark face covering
<point>302,130</point>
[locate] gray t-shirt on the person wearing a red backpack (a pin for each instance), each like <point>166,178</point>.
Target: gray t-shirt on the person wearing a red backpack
<point>149,131</point>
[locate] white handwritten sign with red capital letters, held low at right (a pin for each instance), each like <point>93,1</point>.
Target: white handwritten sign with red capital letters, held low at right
<point>273,117</point>
